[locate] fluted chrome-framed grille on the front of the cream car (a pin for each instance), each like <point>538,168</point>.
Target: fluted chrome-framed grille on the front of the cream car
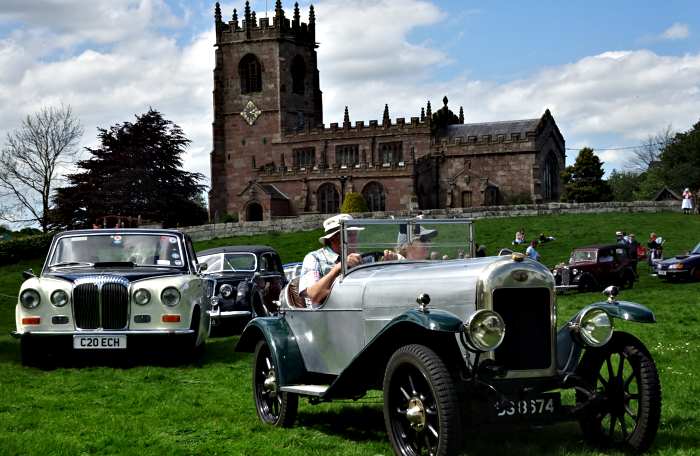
<point>101,302</point>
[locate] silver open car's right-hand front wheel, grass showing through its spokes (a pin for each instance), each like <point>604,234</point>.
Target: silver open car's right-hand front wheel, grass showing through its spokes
<point>625,374</point>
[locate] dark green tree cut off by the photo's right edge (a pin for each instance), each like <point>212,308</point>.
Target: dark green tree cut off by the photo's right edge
<point>681,160</point>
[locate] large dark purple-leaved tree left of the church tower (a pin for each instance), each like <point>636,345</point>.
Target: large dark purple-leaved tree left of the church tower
<point>135,171</point>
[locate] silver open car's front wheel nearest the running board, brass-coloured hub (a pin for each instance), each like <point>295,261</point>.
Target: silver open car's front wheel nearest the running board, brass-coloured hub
<point>421,408</point>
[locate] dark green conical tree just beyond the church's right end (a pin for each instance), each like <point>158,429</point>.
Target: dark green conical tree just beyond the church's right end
<point>583,181</point>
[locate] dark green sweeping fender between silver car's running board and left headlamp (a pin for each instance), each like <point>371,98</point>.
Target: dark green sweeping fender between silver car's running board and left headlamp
<point>433,327</point>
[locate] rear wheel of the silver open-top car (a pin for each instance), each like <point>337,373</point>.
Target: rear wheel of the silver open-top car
<point>273,407</point>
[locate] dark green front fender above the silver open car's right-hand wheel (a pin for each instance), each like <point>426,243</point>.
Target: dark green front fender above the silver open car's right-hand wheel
<point>569,352</point>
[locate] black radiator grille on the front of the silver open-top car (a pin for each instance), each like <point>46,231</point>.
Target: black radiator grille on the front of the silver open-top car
<point>527,315</point>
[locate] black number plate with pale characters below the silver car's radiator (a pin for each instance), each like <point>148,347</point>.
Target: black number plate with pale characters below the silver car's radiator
<point>529,407</point>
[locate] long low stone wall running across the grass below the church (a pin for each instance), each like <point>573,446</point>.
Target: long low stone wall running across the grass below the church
<point>315,221</point>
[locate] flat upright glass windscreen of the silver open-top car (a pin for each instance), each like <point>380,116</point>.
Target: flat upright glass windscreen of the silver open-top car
<point>411,239</point>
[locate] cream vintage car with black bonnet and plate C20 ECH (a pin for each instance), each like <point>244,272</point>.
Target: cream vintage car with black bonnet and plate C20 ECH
<point>114,290</point>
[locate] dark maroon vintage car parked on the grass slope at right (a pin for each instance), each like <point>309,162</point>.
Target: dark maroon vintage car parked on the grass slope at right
<point>595,267</point>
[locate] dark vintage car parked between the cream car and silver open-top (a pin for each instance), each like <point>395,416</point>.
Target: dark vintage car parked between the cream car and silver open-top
<point>248,280</point>
